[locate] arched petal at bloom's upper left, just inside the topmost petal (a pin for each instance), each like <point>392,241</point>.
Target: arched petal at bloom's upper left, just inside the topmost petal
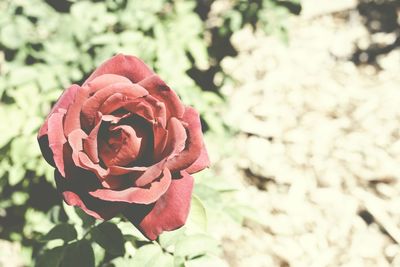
<point>91,106</point>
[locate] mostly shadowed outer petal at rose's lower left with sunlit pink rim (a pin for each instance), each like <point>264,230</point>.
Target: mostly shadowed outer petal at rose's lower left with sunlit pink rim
<point>74,195</point>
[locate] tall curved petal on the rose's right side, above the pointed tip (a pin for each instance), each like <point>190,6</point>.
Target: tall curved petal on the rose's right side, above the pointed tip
<point>194,142</point>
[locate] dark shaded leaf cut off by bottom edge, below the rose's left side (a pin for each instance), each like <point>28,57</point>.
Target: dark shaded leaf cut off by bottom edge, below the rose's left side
<point>78,253</point>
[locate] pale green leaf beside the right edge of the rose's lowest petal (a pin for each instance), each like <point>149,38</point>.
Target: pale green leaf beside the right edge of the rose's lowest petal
<point>197,220</point>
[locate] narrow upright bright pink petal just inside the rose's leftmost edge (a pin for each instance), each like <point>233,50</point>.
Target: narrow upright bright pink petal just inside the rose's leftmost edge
<point>57,140</point>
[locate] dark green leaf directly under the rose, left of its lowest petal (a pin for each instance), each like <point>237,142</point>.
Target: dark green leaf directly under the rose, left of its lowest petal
<point>110,237</point>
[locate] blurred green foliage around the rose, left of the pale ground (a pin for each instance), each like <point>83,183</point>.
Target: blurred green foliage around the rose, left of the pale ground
<point>47,45</point>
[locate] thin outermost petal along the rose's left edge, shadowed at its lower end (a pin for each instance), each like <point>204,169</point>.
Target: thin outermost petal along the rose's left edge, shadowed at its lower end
<point>63,102</point>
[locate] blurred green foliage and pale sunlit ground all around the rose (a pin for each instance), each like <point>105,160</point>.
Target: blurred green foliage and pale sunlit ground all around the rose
<point>300,108</point>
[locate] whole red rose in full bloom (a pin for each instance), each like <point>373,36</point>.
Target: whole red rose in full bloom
<point>124,143</point>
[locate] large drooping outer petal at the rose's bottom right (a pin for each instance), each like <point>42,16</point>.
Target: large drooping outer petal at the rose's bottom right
<point>170,211</point>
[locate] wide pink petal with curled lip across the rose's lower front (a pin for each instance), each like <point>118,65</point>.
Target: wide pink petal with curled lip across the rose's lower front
<point>137,195</point>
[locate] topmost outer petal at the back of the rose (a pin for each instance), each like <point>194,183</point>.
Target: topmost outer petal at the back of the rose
<point>128,66</point>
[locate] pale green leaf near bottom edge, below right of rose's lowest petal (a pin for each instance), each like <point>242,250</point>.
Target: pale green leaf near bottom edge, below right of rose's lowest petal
<point>196,245</point>
